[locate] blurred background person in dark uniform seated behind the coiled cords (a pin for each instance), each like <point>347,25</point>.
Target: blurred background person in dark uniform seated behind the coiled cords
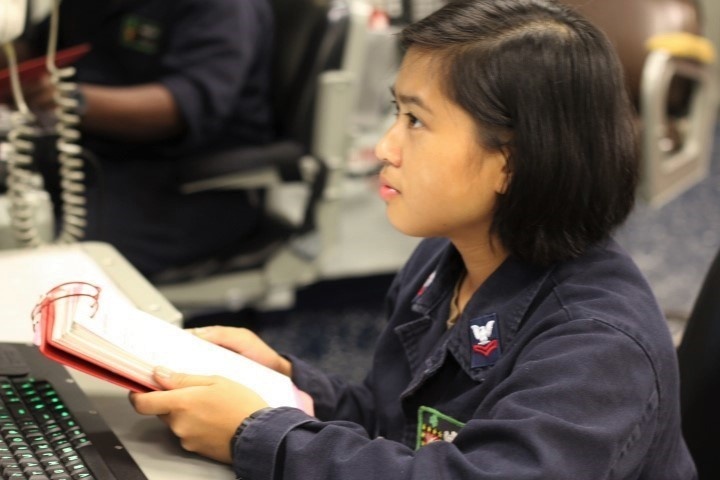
<point>164,79</point>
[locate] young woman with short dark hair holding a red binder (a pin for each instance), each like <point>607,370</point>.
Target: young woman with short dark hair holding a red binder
<point>522,343</point>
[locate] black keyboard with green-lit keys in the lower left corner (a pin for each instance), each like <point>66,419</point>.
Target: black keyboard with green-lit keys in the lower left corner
<point>49,429</point>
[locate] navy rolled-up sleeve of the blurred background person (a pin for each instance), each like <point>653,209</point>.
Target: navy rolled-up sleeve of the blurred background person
<point>216,48</point>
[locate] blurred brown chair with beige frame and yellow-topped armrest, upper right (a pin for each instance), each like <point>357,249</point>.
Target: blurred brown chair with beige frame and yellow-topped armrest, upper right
<point>670,75</point>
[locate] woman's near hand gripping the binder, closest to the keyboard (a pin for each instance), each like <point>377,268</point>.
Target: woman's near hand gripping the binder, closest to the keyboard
<point>203,411</point>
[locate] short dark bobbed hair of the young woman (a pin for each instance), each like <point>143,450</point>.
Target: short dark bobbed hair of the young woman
<point>546,87</point>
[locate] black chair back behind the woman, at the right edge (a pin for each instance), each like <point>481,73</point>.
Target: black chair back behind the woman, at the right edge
<point>699,360</point>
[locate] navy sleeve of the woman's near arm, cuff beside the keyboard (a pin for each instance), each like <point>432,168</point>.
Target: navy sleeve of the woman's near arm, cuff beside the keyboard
<point>532,427</point>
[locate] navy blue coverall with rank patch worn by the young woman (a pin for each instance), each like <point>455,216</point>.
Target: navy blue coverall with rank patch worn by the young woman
<point>563,373</point>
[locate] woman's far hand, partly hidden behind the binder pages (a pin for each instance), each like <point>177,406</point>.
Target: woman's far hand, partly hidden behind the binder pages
<point>247,344</point>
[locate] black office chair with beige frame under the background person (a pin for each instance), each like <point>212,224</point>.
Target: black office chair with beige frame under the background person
<point>320,52</point>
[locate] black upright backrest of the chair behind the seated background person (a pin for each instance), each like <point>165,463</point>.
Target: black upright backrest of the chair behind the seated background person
<point>310,37</point>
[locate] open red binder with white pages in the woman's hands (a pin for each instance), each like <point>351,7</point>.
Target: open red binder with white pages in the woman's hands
<point>76,326</point>
